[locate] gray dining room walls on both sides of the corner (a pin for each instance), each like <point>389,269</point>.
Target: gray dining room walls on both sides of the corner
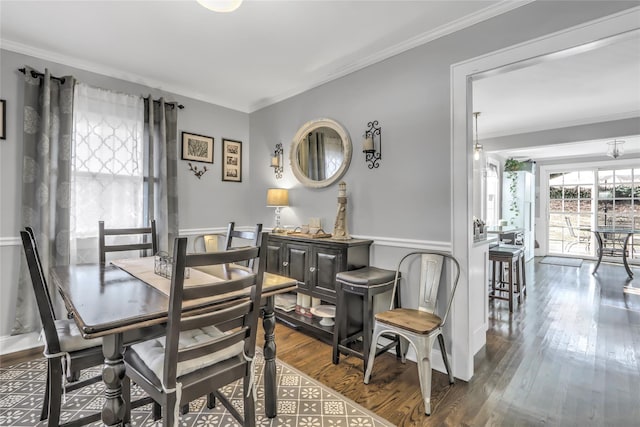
<point>406,200</point>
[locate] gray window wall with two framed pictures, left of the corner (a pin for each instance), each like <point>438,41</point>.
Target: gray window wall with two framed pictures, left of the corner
<point>204,203</point>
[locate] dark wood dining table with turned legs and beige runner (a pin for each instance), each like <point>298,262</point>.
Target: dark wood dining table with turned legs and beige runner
<point>125,302</point>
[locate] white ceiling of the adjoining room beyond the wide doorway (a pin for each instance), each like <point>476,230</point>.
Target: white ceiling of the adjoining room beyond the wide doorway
<point>594,83</point>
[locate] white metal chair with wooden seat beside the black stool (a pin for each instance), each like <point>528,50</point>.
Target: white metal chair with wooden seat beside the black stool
<point>419,327</point>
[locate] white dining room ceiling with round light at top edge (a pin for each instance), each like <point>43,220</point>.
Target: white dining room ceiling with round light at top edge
<point>263,52</point>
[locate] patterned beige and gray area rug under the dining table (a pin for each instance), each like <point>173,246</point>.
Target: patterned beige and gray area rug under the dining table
<point>302,401</point>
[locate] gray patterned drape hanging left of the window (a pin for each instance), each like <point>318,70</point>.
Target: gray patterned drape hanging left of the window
<point>48,106</point>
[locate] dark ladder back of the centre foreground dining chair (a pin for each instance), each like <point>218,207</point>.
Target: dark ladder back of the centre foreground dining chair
<point>238,322</point>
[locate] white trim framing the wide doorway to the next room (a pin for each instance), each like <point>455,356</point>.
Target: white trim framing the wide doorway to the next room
<point>461,156</point>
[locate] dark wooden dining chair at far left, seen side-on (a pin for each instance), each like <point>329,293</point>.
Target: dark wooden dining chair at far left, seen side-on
<point>66,351</point>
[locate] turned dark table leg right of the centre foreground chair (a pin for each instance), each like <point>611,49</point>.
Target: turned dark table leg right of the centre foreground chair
<point>270,386</point>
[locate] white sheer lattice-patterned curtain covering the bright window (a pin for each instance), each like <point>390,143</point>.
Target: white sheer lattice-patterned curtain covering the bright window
<point>107,167</point>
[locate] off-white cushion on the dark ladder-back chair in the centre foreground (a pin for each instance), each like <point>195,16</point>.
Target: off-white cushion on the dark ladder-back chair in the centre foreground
<point>151,352</point>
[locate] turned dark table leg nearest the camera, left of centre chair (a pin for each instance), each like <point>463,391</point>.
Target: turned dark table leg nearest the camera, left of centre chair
<point>113,372</point>
